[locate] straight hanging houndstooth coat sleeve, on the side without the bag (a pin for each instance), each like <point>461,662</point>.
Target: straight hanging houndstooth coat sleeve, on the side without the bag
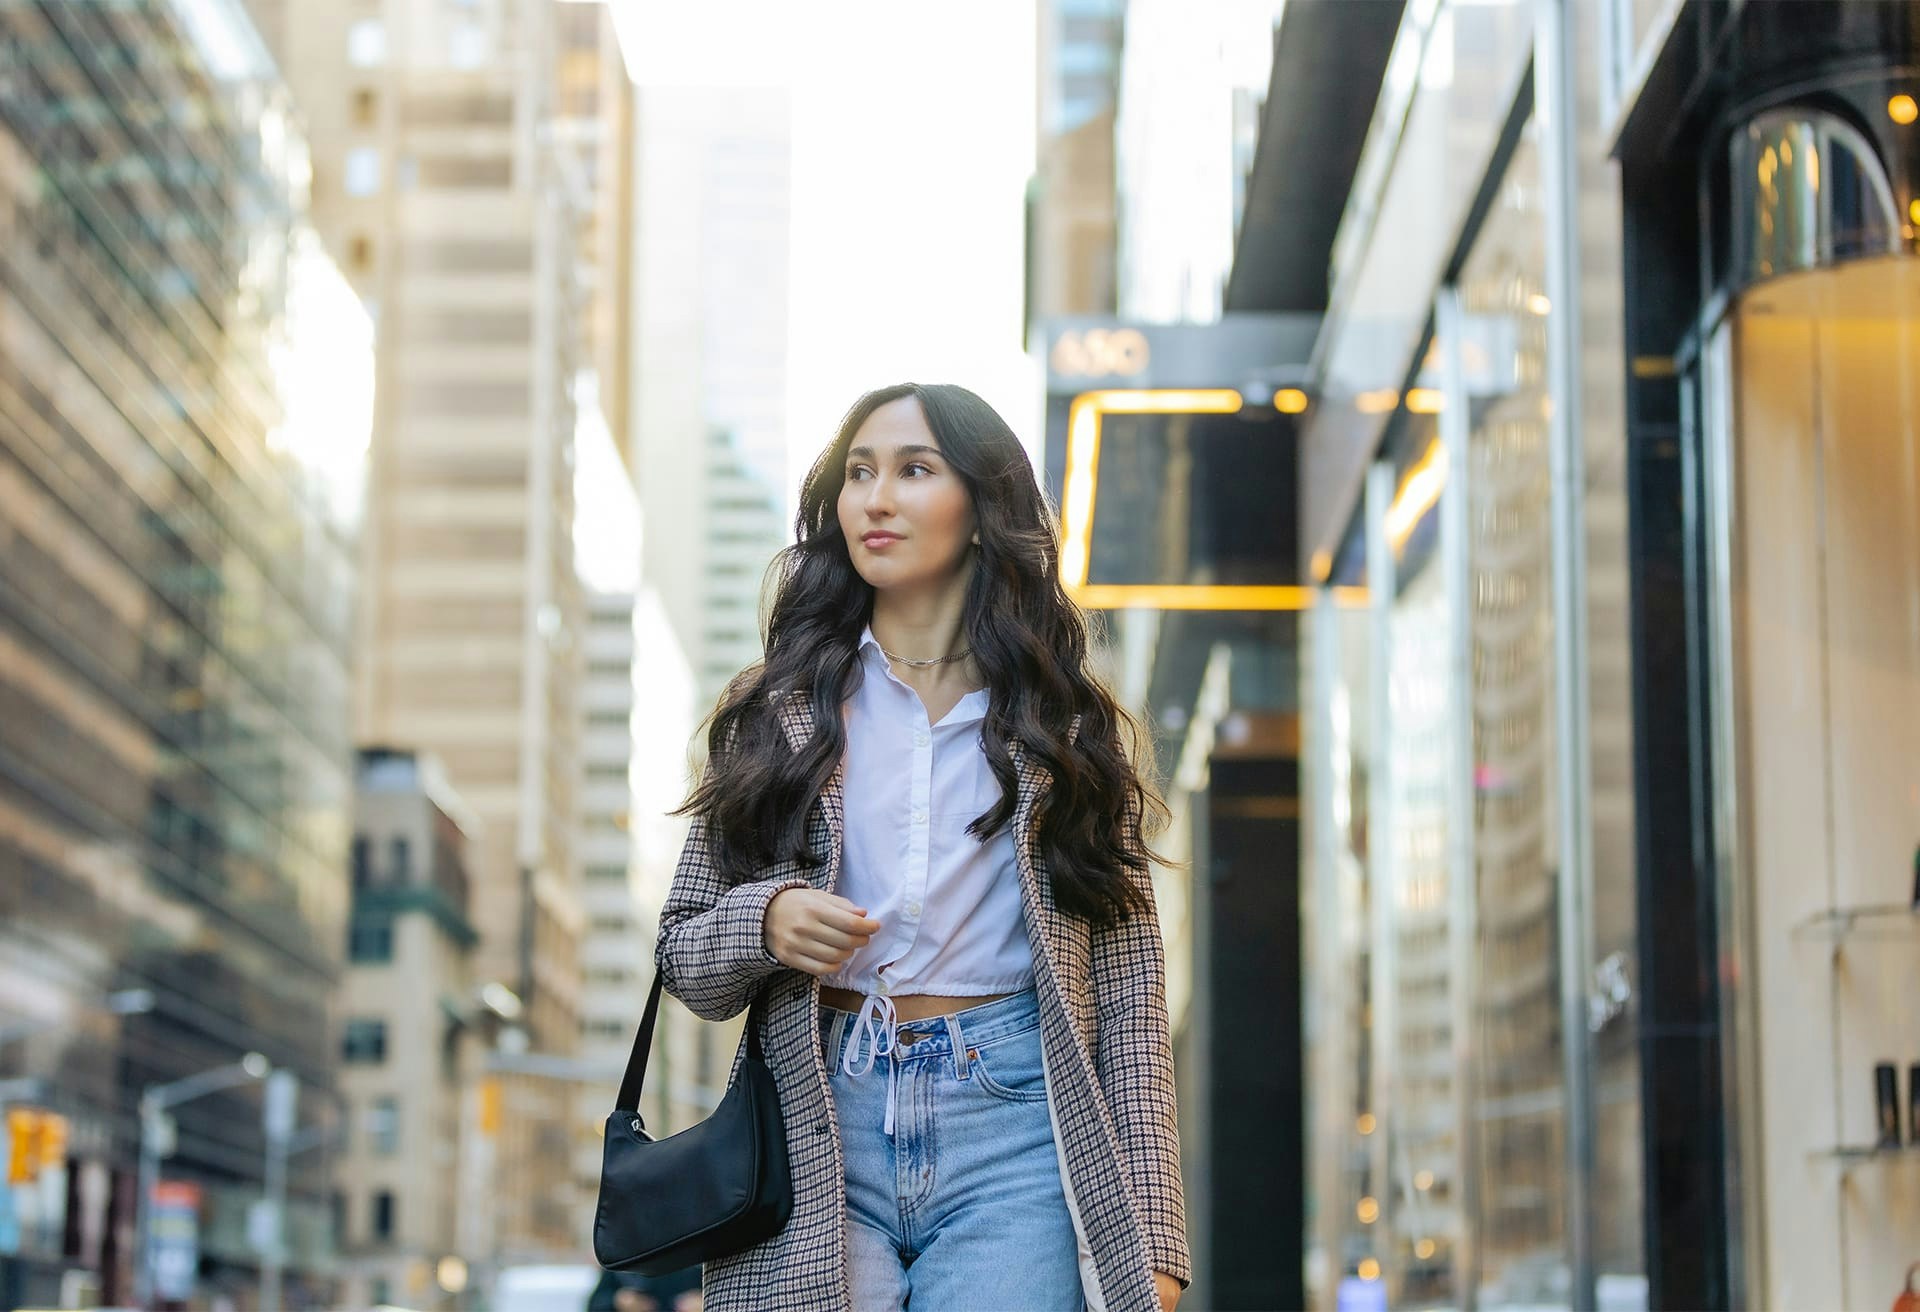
<point>1130,979</point>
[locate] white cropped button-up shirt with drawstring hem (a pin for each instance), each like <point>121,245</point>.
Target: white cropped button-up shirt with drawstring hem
<point>949,911</point>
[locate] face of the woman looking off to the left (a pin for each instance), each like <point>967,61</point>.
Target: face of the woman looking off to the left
<point>905,512</point>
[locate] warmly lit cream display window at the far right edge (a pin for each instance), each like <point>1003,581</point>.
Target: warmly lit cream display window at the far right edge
<point>1813,460</point>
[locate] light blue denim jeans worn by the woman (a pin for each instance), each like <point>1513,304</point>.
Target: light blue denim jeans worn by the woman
<point>961,1207</point>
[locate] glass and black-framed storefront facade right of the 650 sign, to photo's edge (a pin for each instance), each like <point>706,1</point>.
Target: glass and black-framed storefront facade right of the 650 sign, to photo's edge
<point>1648,475</point>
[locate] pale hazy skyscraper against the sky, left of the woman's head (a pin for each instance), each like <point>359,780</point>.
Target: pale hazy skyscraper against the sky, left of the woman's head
<point>709,376</point>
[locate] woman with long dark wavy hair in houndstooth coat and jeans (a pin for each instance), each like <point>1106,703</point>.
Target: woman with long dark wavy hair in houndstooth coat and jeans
<point>921,835</point>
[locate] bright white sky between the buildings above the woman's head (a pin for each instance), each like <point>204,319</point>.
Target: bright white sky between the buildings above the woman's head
<point>913,145</point>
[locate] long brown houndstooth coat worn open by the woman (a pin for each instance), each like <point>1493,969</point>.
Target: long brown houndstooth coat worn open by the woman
<point>1103,1027</point>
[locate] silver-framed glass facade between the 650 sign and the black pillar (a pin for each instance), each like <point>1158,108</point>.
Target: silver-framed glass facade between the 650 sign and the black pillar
<point>1476,1109</point>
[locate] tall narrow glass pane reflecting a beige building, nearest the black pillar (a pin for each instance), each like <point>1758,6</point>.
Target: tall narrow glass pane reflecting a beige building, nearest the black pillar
<point>1520,1098</point>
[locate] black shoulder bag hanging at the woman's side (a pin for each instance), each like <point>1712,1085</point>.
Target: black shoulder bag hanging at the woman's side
<point>704,1194</point>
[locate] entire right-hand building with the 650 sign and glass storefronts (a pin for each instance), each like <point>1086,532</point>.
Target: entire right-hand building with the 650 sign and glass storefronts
<point>1541,764</point>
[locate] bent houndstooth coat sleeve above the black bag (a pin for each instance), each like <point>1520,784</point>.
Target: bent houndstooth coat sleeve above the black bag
<point>711,950</point>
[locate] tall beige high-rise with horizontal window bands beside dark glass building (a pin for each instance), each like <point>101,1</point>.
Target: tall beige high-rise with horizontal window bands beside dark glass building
<point>456,205</point>
